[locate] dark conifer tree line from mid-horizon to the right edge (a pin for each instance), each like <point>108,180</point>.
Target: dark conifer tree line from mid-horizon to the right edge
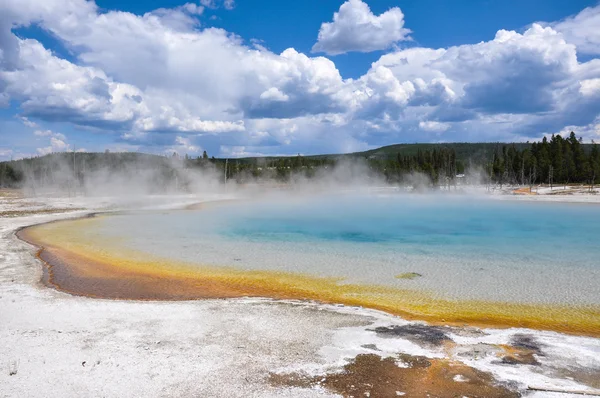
<point>555,161</point>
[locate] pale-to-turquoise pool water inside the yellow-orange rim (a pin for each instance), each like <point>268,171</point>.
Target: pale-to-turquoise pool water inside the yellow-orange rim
<point>464,247</point>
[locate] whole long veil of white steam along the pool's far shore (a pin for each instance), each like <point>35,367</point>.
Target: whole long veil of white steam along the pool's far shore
<point>134,174</point>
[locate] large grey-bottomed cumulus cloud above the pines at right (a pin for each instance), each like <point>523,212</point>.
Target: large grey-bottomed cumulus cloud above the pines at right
<point>515,73</point>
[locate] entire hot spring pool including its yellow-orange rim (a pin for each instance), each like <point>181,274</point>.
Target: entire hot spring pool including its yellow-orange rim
<point>446,257</point>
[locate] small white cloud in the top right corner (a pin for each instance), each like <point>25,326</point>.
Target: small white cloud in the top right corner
<point>582,30</point>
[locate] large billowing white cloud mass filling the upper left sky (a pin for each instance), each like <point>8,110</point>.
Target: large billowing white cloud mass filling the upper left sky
<point>176,79</point>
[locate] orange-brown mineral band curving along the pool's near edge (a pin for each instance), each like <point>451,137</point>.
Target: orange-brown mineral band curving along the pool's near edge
<point>96,267</point>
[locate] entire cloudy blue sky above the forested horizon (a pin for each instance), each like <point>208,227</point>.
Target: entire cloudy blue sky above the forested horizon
<point>269,77</point>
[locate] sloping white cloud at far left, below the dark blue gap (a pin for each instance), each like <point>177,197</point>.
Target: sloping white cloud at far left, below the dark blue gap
<point>52,88</point>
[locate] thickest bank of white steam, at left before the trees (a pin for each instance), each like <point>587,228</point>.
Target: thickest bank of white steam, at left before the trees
<point>120,174</point>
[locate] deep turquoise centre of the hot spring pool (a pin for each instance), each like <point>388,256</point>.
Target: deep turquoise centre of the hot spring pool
<point>561,234</point>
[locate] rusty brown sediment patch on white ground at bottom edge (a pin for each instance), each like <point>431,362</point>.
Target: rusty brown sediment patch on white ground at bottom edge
<point>369,375</point>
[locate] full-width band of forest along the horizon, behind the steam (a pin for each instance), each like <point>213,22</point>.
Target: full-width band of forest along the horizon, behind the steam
<point>556,160</point>
